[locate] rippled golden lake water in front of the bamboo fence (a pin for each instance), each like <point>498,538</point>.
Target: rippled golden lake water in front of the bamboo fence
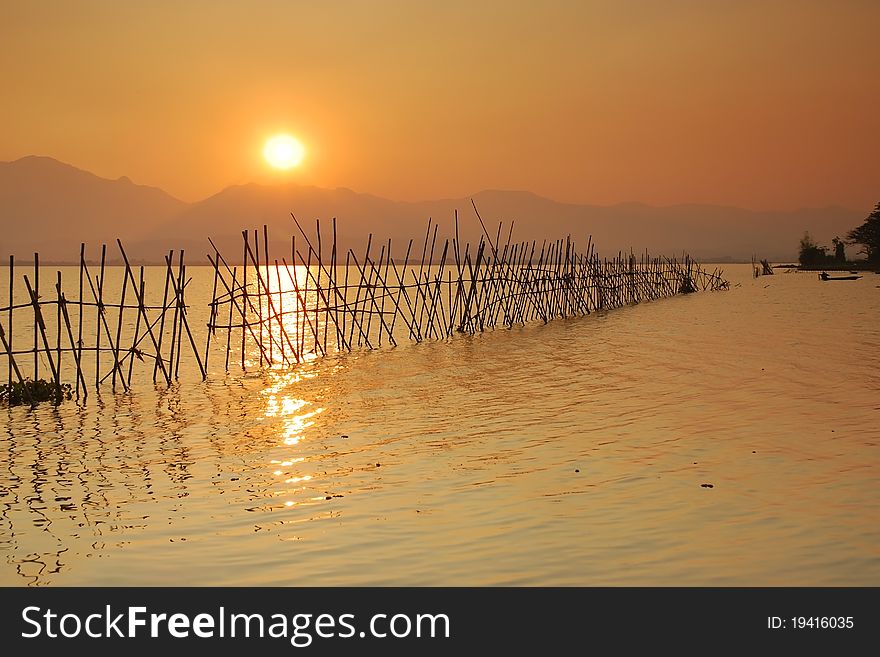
<point>571,453</point>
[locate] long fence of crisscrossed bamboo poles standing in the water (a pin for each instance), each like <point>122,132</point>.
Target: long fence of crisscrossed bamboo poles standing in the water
<point>271,312</point>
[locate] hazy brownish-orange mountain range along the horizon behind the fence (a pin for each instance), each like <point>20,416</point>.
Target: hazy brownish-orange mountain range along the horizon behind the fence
<point>51,207</point>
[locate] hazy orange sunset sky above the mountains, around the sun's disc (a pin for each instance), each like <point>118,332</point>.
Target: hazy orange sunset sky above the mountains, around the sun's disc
<point>765,105</point>
